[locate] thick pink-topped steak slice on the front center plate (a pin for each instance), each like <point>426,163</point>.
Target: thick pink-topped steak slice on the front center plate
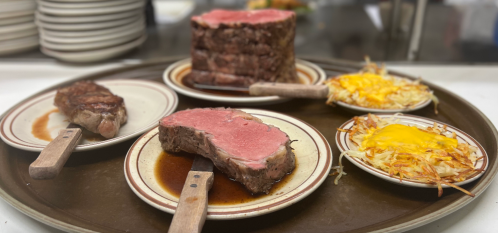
<point>239,144</point>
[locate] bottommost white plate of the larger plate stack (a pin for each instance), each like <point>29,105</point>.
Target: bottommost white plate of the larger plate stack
<point>94,55</point>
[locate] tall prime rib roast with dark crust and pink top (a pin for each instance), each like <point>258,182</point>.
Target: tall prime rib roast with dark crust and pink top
<point>239,48</point>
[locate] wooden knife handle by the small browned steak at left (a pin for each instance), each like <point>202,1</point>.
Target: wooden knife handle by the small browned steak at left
<point>53,157</point>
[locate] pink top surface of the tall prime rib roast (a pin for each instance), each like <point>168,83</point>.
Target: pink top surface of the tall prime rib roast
<point>215,17</point>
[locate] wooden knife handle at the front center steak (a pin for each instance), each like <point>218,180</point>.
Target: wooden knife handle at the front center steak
<point>190,214</point>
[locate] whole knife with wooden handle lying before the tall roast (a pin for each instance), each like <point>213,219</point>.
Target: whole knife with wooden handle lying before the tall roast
<point>292,90</point>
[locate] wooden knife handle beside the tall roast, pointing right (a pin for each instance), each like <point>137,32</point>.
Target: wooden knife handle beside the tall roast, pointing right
<point>290,90</point>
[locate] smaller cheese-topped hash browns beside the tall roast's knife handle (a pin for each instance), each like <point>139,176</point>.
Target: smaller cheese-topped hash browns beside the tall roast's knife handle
<point>373,87</point>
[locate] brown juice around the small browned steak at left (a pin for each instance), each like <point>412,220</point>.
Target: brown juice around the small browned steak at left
<point>39,129</point>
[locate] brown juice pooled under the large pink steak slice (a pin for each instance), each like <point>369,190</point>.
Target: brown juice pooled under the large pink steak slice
<point>171,171</point>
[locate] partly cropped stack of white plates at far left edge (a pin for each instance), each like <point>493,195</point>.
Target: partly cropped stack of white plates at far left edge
<point>18,31</point>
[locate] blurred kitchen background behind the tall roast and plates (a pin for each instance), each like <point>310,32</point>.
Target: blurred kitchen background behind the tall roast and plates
<point>429,31</point>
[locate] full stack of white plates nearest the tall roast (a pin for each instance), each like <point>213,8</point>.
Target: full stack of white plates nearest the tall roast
<point>90,30</point>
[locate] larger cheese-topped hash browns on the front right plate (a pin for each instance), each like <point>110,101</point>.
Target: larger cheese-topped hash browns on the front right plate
<point>430,155</point>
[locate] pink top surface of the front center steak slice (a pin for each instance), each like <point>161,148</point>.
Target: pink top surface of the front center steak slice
<point>246,139</point>
